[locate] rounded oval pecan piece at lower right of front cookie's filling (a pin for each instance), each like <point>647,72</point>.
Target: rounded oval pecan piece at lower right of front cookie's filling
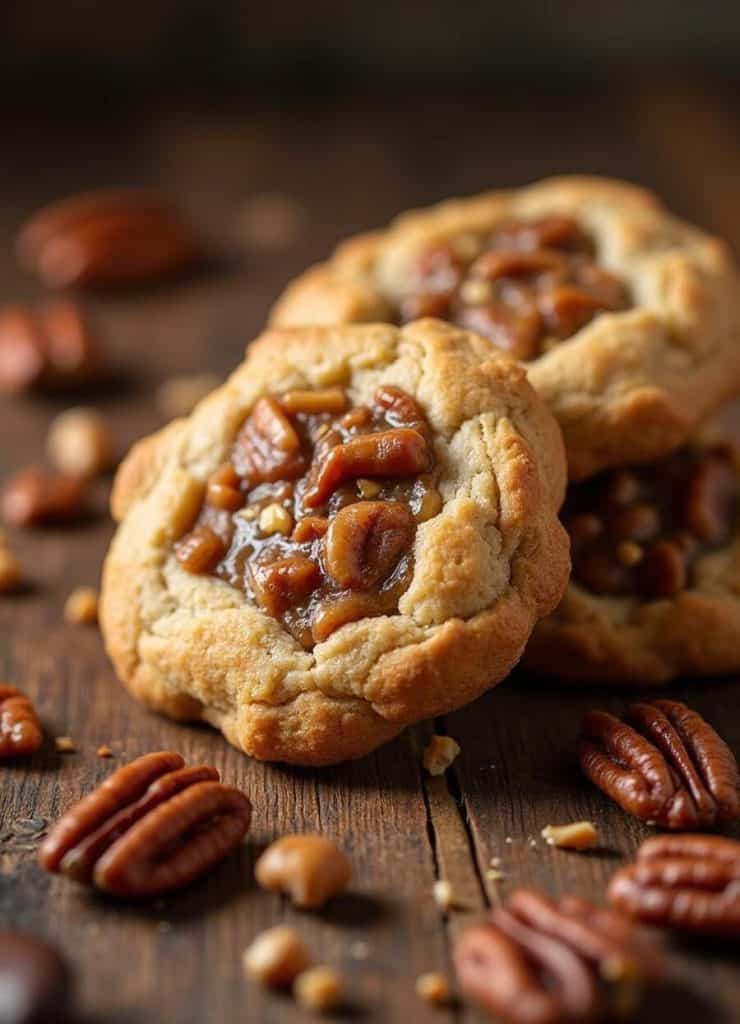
<point>365,542</point>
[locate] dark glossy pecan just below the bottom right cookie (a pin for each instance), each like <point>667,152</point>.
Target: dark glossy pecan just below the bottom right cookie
<point>664,763</point>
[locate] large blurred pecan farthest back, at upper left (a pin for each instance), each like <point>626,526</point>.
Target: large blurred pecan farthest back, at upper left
<point>106,239</point>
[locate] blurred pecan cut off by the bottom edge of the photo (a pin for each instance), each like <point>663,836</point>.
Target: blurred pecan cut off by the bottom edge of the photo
<point>541,962</point>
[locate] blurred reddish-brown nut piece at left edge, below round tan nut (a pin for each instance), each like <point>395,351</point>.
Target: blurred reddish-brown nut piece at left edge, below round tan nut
<point>35,497</point>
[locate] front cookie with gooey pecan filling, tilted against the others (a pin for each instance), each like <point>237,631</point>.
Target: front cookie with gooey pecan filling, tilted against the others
<point>358,531</point>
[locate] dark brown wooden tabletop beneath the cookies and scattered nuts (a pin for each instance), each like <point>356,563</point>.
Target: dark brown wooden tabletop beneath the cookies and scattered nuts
<point>353,167</point>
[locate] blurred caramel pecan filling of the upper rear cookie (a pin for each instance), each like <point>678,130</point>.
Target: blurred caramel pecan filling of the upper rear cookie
<point>527,286</point>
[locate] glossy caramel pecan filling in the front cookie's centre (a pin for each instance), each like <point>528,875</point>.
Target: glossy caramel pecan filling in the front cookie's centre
<point>315,515</point>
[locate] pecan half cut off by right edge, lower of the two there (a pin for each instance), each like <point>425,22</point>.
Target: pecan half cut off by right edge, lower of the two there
<point>689,883</point>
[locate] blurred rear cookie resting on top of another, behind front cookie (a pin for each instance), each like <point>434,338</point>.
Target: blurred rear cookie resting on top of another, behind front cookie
<point>629,320</point>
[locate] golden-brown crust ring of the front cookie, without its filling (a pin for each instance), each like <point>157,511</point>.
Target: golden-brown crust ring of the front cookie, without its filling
<point>488,564</point>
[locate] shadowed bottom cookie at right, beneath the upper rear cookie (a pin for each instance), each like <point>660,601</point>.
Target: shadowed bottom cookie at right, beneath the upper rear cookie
<point>656,588</point>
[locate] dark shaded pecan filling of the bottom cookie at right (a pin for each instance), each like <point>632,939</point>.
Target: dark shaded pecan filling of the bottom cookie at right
<point>639,532</point>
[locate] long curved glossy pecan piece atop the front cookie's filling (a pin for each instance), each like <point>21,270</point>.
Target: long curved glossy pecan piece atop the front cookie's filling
<point>403,452</point>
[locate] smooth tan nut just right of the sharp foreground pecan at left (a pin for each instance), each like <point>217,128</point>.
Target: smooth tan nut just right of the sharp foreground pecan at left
<point>310,869</point>
